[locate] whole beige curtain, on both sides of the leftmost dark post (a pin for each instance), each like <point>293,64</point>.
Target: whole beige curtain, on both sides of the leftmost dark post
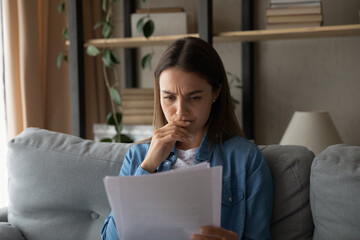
<point>37,92</point>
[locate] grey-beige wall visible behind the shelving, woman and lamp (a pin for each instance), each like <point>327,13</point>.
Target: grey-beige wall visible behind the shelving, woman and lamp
<point>302,74</point>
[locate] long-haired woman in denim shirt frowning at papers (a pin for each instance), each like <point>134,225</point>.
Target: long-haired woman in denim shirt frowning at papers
<point>195,122</point>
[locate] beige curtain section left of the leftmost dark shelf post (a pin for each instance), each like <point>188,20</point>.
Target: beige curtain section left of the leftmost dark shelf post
<point>37,92</point>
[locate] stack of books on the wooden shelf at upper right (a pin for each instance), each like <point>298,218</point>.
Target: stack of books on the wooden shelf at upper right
<point>293,14</point>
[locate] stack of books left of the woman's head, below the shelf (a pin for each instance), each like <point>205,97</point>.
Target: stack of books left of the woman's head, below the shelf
<point>137,106</point>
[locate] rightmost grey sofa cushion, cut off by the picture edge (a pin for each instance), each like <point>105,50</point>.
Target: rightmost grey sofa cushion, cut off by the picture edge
<point>335,193</point>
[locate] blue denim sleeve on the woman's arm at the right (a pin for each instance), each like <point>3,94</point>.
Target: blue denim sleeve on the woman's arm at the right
<point>259,199</point>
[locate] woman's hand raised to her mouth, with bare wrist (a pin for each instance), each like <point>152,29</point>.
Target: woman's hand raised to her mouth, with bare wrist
<point>162,142</point>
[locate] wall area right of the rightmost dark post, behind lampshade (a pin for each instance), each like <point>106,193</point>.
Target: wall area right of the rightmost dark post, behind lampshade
<point>309,74</point>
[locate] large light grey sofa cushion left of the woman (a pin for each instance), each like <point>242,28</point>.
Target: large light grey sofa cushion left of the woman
<point>56,188</point>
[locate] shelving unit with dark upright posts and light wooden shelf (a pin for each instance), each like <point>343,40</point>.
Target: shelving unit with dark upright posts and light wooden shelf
<point>247,37</point>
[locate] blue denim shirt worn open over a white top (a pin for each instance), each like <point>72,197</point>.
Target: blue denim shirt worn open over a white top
<point>247,186</point>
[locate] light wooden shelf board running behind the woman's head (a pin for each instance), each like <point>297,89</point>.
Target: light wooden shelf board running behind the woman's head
<point>236,36</point>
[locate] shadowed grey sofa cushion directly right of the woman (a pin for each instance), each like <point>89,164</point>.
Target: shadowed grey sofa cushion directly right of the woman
<point>290,168</point>
